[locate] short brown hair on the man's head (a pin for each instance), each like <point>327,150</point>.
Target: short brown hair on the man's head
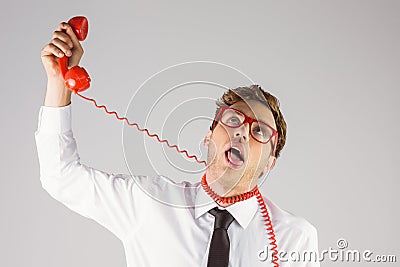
<point>255,92</point>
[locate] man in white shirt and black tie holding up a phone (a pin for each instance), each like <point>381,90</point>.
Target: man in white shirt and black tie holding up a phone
<point>222,223</point>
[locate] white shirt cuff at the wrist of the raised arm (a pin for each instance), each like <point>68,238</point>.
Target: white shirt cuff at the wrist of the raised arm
<point>54,119</point>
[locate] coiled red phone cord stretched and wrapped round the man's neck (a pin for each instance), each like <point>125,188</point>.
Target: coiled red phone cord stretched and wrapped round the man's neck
<point>226,200</point>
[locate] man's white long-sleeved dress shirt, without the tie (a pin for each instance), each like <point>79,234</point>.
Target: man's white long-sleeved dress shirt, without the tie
<point>155,234</point>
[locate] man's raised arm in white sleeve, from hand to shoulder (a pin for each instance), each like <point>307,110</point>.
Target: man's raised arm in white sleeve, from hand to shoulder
<point>109,199</point>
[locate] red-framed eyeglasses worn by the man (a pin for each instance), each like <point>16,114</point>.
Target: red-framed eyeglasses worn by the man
<point>260,131</point>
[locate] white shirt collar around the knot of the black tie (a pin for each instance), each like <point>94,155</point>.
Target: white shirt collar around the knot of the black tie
<point>243,211</point>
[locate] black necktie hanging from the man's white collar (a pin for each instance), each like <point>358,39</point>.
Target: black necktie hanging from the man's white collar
<point>218,255</point>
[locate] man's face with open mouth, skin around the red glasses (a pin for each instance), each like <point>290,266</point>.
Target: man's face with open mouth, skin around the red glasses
<point>226,167</point>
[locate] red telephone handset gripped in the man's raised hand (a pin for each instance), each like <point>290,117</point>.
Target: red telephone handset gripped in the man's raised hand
<point>76,79</point>
